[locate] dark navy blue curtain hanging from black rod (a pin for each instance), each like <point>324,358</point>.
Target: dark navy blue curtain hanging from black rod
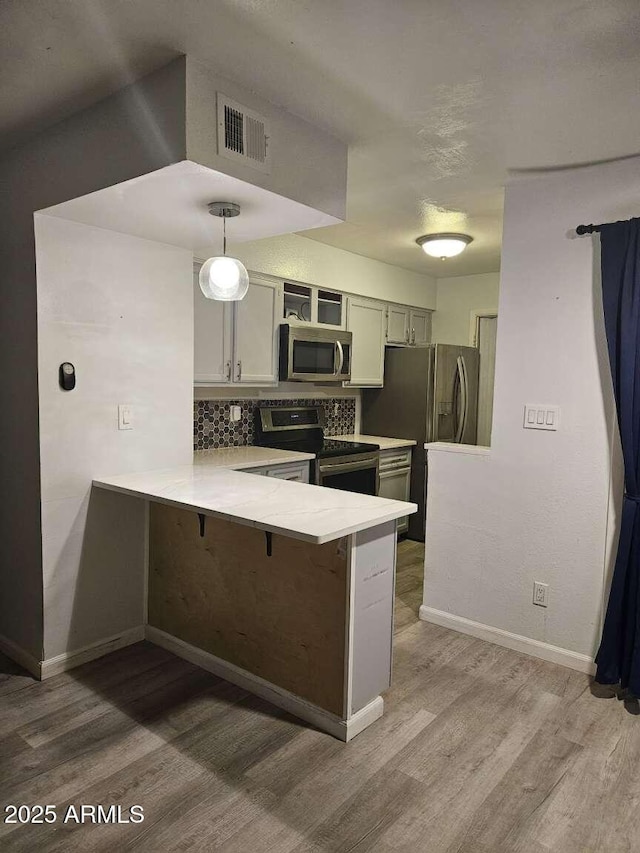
<point>618,659</point>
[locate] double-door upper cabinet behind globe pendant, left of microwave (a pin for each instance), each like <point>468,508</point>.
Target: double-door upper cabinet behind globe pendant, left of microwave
<point>235,342</point>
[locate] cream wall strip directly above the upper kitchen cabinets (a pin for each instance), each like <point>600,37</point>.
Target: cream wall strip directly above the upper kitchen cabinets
<point>300,258</point>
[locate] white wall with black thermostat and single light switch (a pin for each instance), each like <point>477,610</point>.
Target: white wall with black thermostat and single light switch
<point>120,309</point>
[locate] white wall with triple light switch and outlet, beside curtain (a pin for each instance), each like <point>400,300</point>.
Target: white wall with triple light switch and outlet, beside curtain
<point>536,507</point>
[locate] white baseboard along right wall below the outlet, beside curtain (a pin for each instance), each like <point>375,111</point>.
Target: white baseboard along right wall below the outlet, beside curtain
<point>517,642</point>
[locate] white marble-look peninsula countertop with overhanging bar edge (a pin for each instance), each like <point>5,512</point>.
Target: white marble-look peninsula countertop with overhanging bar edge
<point>300,511</point>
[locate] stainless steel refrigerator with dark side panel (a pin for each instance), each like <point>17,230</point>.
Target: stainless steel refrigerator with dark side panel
<point>430,394</point>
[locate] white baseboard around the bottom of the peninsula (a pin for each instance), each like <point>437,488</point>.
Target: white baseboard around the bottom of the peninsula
<point>344,730</point>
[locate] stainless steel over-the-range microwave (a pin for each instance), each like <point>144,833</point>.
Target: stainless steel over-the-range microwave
<point>312,354</point>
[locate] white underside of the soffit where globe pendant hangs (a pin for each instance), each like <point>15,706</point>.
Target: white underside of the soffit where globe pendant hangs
<point>170,206</point>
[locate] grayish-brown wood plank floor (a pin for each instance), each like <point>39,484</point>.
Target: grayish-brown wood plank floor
<point>480,750</point>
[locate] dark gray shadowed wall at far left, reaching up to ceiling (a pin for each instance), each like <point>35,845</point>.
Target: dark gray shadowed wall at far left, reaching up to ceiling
<point>132,133</point>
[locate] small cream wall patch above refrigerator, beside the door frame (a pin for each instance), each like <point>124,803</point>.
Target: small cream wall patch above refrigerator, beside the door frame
<point>458,298</point>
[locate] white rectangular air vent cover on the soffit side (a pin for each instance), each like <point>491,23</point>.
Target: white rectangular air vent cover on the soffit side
<point>243,135</point>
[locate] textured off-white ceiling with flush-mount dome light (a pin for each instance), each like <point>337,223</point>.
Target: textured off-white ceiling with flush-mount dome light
<point>438,101</point>
